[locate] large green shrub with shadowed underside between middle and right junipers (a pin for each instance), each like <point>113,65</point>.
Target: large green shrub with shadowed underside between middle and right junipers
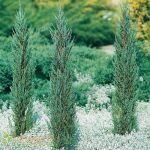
<point>92,24</point>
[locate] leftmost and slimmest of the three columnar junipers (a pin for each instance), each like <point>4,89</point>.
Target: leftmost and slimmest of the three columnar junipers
<point>22,67</point>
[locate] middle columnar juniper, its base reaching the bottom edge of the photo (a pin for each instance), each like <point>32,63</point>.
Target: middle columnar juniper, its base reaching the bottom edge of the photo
<point>62,102</point>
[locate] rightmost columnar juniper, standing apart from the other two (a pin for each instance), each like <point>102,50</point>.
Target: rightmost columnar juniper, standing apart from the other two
<point>126,77</point>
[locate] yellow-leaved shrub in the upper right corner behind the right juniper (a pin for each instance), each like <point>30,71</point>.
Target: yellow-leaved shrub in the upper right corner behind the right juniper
<point>140,11</point>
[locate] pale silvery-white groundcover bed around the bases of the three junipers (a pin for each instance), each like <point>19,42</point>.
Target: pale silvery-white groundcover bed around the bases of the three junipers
<point>95,128</point>
